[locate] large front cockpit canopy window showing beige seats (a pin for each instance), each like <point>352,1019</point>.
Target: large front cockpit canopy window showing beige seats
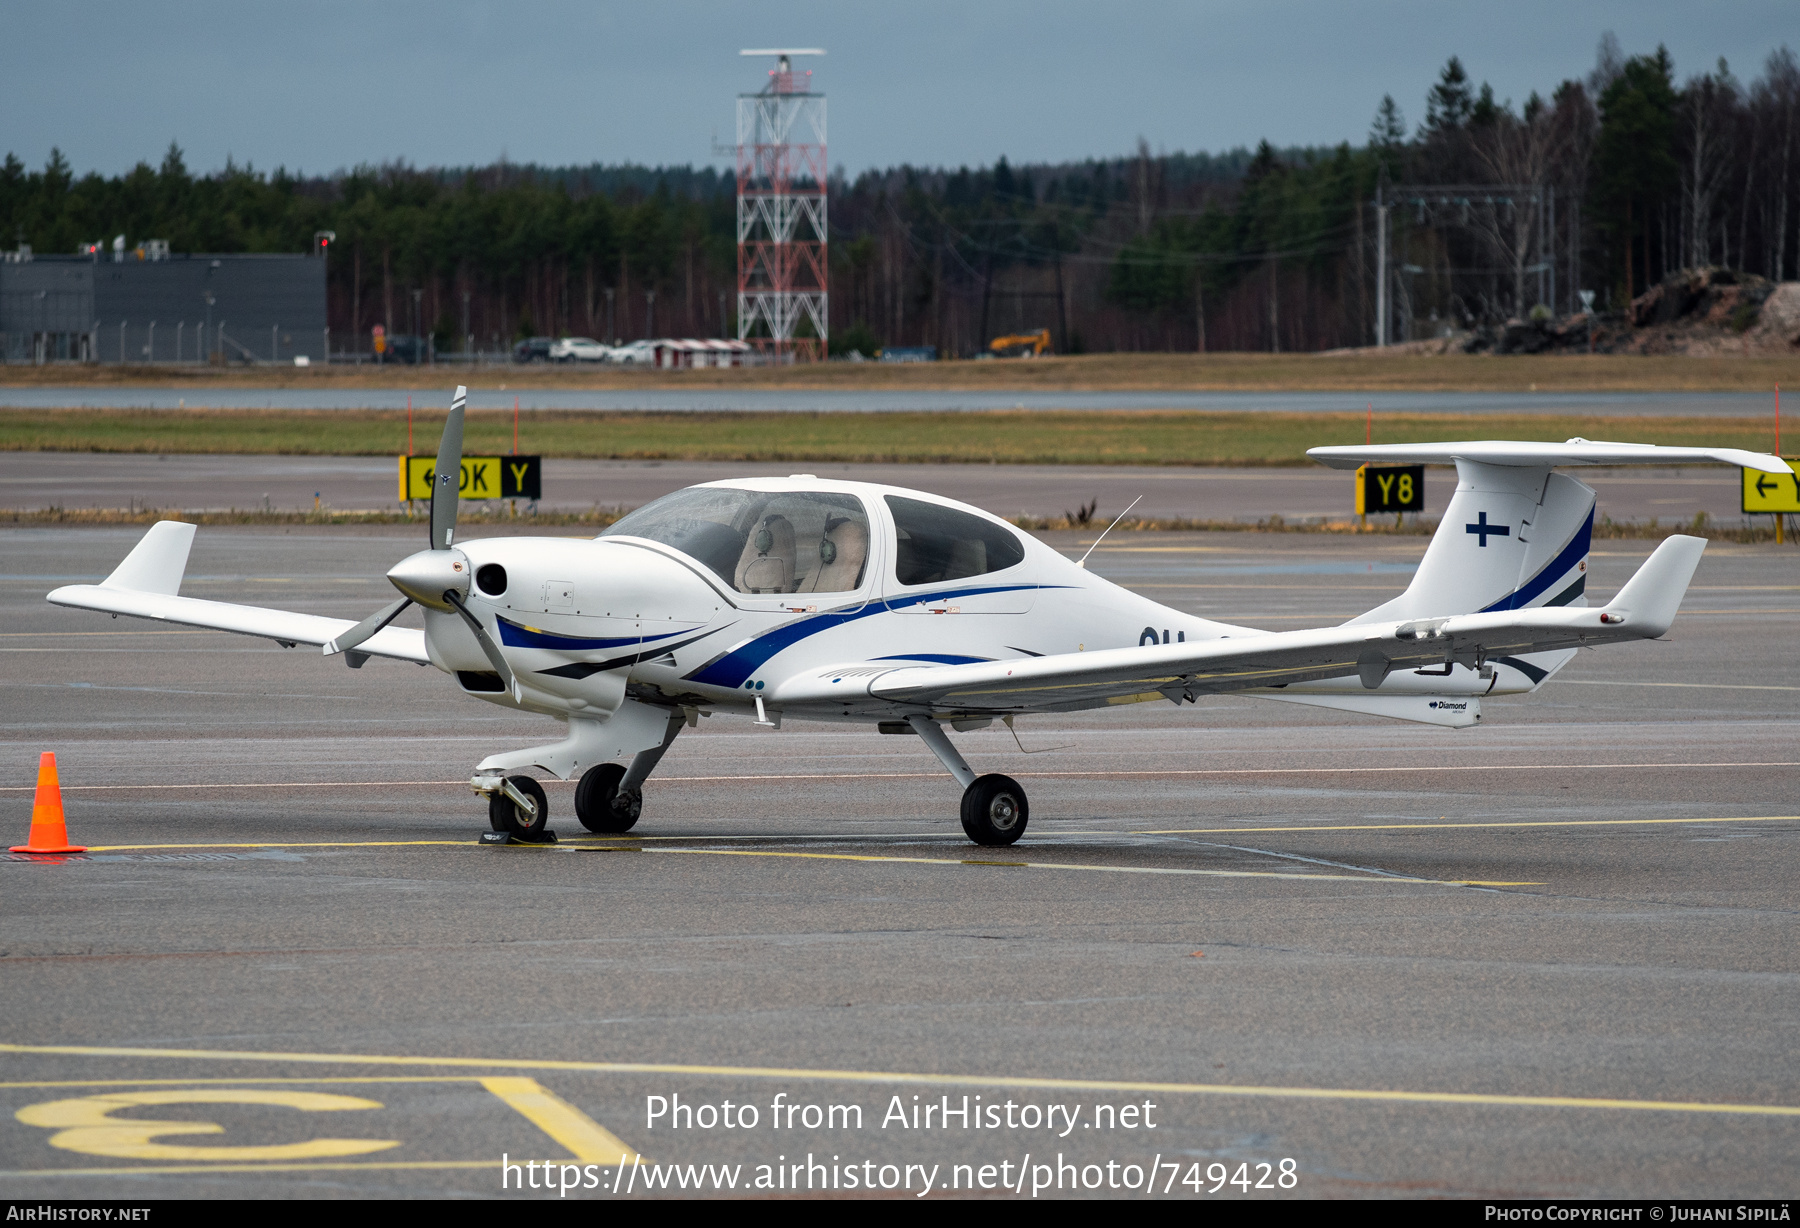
<point>798,541</point>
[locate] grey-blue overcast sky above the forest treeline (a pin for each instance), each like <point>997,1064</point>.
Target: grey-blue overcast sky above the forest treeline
<point>319,87</point>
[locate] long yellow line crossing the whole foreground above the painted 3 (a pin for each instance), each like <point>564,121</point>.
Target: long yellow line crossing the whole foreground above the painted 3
<point>917,1079</point>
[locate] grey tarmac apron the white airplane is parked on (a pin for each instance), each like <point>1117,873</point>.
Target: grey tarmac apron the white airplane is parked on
<point>1552,957</point>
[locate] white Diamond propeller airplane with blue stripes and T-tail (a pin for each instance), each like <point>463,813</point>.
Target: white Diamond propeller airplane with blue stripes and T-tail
<point>850,602</point>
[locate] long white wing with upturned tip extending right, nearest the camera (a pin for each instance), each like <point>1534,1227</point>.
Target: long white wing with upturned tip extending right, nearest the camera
<point>1644,609</point>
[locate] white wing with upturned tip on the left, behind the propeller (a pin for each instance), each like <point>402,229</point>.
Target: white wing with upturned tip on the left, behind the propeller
<point>147,586</point>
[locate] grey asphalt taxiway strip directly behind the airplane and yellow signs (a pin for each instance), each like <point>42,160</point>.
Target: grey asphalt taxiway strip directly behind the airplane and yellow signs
<point>289,483</point>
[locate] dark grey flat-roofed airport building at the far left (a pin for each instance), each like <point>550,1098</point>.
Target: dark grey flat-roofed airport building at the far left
<point>156,307</point>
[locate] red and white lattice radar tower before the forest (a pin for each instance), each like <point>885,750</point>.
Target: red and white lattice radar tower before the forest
<point>782,213</point>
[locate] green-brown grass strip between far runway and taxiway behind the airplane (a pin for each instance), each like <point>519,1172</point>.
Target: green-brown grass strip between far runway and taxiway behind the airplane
<point>976,438</point>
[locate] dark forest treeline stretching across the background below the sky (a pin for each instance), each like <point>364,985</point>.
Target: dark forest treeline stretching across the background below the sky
<point>1491,212</point>
